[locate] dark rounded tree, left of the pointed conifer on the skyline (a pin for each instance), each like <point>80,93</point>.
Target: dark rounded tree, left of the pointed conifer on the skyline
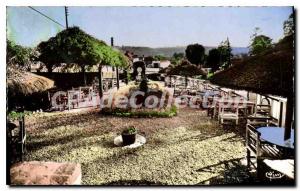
<point>195,53</point>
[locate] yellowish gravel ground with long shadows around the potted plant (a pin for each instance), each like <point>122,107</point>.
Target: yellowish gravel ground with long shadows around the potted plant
<point>188,149</point>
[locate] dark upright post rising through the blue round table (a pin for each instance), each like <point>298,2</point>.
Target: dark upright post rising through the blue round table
<point>289,116</point>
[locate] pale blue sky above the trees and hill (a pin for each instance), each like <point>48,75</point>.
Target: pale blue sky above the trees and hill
<point>150,26</point>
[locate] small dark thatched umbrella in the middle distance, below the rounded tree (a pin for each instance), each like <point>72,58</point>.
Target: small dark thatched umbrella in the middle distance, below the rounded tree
<point>185,68</point>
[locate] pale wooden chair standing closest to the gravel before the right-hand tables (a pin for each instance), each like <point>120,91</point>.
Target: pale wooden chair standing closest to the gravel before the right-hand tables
<point>228,113</point>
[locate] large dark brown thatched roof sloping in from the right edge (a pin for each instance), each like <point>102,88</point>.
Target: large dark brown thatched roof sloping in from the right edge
<point>269,73</point>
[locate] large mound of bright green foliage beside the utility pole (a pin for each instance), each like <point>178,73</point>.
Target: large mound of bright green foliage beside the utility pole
<point>75,46</point>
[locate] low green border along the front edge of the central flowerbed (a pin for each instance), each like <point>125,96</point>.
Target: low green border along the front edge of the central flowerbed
<point>126,113</point>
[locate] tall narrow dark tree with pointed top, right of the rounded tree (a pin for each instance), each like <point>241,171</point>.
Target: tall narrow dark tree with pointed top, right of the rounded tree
<point>225,52</point>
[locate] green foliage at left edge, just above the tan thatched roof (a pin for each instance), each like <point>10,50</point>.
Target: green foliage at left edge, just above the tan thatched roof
<point>18,55</point>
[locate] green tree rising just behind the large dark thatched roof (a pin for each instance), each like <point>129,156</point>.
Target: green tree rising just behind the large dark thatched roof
<point>259,43</point>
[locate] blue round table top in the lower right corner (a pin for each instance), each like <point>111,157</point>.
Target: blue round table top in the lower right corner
<point>275,135</point>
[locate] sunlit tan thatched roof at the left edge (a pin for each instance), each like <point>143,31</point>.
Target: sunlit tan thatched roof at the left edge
<point>19,82</point>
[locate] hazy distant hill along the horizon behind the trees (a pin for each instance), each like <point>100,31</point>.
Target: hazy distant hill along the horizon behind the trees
<point>169,51</point>
